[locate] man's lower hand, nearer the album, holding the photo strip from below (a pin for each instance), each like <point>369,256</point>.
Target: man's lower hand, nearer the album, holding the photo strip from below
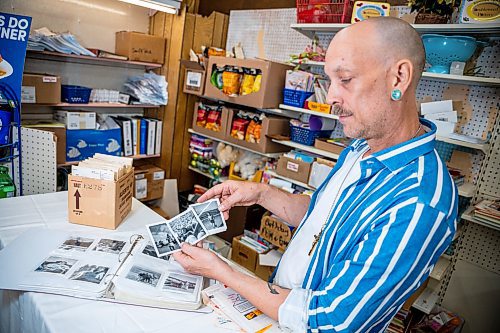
<point>199,261</point>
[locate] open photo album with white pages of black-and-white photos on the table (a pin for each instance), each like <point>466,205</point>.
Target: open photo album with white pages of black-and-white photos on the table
<point>116,267</point>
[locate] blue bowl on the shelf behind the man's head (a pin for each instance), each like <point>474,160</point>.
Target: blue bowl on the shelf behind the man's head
<point>441,51</point>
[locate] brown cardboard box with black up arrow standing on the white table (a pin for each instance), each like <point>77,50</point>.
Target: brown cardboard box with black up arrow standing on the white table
<point>99,203</point>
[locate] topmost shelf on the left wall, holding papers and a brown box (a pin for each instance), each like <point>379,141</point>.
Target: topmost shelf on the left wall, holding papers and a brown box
<point>56,56</point>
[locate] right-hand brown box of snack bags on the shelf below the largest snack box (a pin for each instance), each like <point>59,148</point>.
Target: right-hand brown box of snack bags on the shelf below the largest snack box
<point>270,126</point>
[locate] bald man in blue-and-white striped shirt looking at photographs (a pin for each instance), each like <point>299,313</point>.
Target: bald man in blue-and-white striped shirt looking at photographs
<point>372,232</point>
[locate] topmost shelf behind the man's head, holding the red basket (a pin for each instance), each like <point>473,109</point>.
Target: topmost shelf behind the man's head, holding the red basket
<point>309,29</point>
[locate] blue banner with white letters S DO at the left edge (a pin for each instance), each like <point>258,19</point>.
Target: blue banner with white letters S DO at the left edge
<point>14,33</point>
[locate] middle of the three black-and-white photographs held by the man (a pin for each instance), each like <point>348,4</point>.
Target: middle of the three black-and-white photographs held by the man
<point>186,227</point>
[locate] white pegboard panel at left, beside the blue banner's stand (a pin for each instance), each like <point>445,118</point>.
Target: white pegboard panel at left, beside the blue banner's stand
<point>38,161</point>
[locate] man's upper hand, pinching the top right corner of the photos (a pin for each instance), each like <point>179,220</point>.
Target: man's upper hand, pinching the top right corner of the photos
<point>235,193</point>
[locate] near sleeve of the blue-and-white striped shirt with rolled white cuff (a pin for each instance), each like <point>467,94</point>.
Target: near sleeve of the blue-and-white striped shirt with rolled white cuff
<point>363,291</point>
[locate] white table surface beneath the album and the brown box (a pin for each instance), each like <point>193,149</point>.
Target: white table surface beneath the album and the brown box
<point>37,312</point>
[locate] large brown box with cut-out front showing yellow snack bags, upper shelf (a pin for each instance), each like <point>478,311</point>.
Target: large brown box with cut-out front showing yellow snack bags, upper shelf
<point>270,94</point>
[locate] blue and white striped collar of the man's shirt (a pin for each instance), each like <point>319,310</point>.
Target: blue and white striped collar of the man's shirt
<point>398,156</point>
